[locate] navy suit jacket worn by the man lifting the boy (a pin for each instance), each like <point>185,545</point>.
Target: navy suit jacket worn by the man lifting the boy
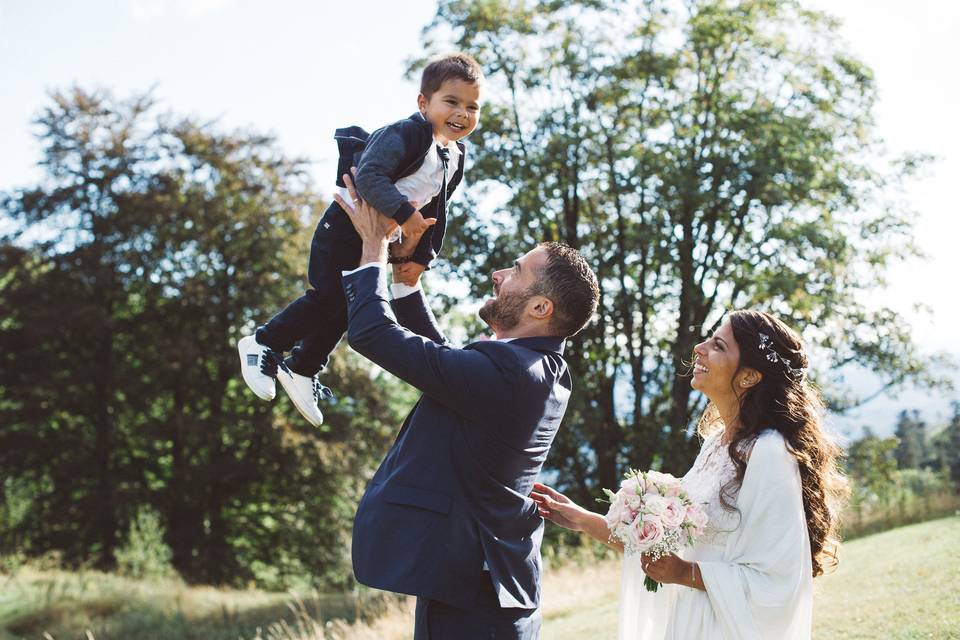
<point>453,491</point>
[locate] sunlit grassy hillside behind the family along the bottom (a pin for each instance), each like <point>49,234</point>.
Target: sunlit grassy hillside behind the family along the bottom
<point>900,584</point>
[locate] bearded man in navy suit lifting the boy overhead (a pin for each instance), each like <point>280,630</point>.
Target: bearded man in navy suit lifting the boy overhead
<point>448,517</point>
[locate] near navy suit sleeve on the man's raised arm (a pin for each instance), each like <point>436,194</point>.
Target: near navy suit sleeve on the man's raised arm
<point>469,381</point>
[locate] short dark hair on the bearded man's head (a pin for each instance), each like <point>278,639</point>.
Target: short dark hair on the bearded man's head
<point>569,282</point>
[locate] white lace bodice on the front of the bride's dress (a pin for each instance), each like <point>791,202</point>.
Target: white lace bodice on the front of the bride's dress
<point>710,471</point>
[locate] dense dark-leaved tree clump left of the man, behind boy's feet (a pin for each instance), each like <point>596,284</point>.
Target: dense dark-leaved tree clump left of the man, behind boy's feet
<point>150,245</point>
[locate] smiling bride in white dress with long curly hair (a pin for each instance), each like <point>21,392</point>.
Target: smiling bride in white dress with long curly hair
<point>767,476</point>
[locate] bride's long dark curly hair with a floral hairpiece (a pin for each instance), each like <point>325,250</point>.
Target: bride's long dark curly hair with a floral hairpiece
<point>786,401</point>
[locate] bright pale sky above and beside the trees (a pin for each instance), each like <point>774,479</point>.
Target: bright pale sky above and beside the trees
<point>301,68</point>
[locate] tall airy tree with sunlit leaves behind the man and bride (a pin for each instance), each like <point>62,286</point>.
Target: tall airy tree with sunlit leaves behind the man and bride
<point>705,157</point>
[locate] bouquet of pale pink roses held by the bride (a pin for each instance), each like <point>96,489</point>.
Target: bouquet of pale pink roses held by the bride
<point>651,514</point>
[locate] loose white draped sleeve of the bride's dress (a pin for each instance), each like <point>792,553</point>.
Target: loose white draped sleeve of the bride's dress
<point>763,588</point>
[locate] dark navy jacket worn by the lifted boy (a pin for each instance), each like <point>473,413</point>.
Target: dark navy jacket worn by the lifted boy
<point>388,154</point>
